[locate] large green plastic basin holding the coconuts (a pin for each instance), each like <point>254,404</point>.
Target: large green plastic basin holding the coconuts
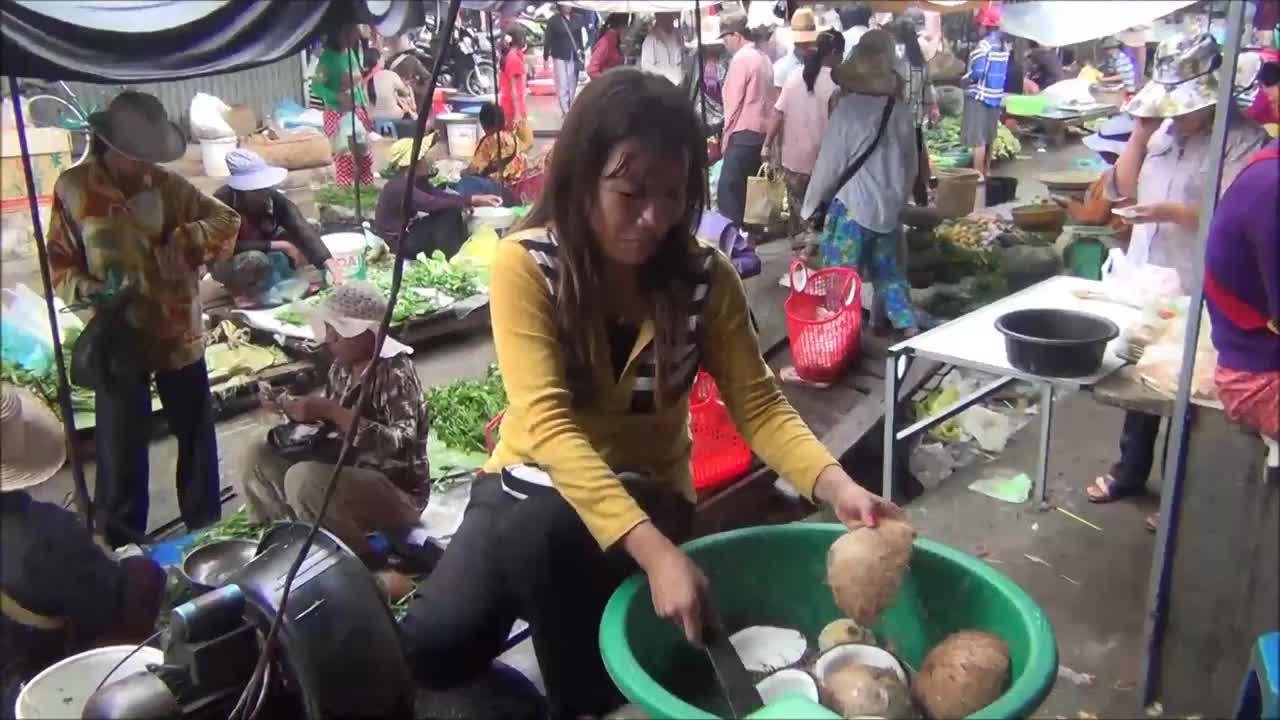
<point>776,576</point>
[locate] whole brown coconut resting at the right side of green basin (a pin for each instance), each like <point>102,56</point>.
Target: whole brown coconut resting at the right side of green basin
<point>963,675</point>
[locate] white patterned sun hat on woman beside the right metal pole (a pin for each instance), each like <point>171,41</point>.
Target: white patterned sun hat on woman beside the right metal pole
<point>1185,81</point>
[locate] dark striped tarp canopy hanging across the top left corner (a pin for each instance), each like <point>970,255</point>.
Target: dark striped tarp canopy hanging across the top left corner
<point>131,42</point>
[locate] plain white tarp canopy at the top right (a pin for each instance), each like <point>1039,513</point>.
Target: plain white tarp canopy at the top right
<point>1055,24</point>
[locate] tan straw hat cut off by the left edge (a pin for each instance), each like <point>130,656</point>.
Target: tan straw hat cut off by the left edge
<point>34,441</point>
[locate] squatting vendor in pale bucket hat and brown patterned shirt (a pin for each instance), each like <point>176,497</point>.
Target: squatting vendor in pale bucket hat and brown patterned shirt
<point>386,486</point>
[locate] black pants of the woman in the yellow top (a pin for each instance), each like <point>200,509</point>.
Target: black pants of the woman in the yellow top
<point>531,559</point>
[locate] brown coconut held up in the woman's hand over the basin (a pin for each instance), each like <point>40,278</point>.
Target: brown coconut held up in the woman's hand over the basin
<point>866,567</point>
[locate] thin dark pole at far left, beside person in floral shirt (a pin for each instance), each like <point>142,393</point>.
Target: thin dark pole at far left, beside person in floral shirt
<point>65,390</point>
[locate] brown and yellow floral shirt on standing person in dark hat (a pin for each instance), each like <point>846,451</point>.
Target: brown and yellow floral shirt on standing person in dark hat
<point>99,238</point>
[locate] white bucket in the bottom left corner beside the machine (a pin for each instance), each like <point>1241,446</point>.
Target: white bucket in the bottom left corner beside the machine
<point>65,689</point>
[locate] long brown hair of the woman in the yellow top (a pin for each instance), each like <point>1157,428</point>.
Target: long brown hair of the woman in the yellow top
<point>620,106</point>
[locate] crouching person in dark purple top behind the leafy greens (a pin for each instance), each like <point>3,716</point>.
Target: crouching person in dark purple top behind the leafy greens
<point>438,222</point>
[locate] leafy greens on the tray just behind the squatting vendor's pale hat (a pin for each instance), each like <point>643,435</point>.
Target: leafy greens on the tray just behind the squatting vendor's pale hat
<point>435,274</point>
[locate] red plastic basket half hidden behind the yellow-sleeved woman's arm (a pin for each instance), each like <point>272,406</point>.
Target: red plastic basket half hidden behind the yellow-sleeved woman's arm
<point>720,454</point>
